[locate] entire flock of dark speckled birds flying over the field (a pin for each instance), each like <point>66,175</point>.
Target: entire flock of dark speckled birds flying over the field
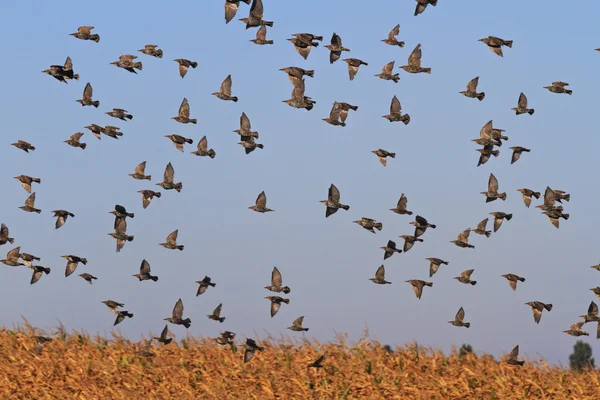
<point>490,138</point>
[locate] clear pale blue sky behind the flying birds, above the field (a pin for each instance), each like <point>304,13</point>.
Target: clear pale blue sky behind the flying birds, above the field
<point>327,262</point>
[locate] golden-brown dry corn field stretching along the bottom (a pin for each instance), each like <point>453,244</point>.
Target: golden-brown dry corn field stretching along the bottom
<point>77,366</point>
